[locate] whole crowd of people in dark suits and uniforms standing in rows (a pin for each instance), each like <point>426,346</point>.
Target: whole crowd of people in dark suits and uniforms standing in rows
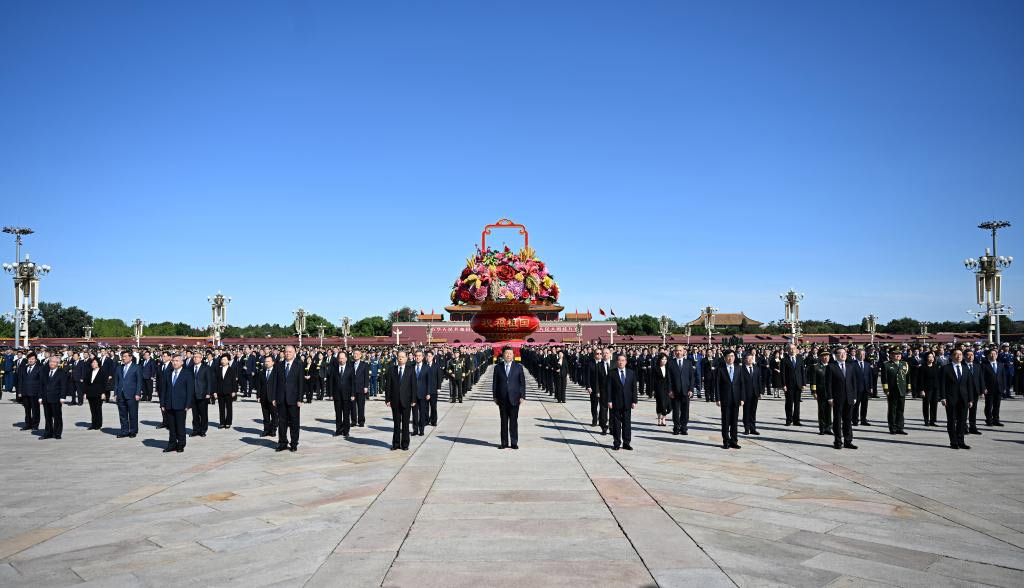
<point>841,381</point>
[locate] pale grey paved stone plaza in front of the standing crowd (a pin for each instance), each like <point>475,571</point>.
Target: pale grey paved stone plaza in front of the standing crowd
<point>786,510</point>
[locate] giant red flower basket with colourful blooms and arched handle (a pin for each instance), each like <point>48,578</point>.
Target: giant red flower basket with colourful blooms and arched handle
<point>505,284</point>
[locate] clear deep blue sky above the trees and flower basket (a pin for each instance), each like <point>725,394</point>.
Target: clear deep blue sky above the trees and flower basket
<point>345,157</point>
